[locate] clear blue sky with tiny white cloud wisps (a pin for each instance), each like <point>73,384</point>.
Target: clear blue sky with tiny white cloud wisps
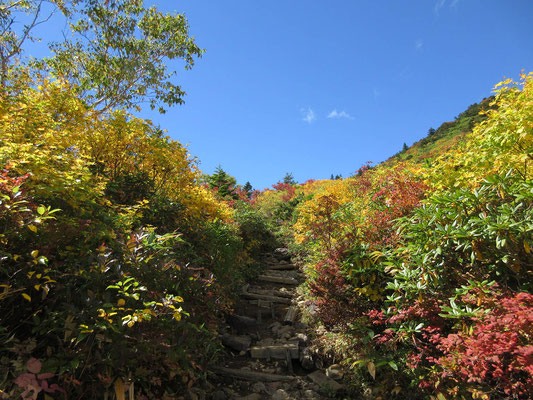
<point>318,88</point>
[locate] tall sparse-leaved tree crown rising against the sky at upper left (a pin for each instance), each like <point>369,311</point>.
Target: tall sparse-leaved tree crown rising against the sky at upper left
<point>116,54</point>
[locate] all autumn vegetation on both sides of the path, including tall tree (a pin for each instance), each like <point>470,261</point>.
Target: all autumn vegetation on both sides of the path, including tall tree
<point>120,260</point>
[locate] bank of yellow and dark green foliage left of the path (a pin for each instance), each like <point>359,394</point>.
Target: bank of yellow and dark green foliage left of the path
<point>115,263</point>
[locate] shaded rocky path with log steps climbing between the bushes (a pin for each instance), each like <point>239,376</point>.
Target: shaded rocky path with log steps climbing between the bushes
<point>267,355</point>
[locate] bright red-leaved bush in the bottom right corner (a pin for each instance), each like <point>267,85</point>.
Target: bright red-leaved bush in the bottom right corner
<point>499,352</point>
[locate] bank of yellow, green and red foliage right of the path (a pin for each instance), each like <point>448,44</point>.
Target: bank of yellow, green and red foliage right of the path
<point>424,270</point>
